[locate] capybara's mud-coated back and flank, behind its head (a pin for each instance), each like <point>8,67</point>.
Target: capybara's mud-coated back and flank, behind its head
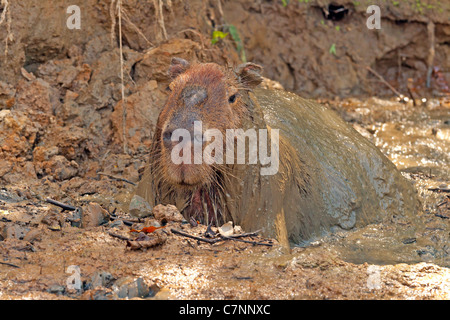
<point>330,177</point>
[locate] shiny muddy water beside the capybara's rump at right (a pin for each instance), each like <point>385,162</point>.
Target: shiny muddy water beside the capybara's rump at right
<point>417,140</point>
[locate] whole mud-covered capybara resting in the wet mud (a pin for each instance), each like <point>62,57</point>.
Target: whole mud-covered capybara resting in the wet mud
<point>321,176</point>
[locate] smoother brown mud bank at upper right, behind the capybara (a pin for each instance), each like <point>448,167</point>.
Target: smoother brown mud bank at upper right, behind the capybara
<point>323,46</point>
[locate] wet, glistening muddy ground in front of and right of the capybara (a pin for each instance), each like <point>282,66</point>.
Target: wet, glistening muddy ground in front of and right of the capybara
<point>40,244</point>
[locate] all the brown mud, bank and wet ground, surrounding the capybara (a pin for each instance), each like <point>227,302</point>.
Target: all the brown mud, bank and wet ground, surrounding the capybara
<point>61,125</point>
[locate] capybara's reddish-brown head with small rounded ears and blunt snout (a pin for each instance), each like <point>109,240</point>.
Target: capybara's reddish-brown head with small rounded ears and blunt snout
<point>202,96</point>
